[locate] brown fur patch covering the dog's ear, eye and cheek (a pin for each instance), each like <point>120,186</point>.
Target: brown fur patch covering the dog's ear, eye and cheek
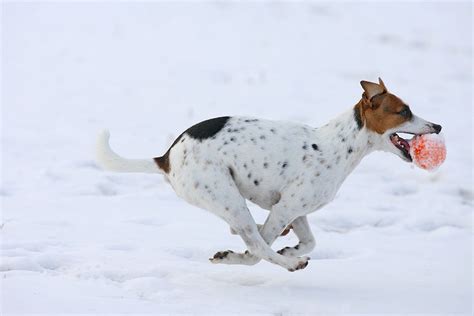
<point>380,110</point>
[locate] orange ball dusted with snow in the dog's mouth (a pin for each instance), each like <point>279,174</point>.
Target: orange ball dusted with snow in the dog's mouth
<point>428,151</point>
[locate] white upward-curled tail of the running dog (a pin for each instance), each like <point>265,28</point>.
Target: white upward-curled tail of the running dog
<point>109,160</point>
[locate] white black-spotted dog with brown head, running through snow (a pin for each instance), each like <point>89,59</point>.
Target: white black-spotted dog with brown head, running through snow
<point>289,169</point>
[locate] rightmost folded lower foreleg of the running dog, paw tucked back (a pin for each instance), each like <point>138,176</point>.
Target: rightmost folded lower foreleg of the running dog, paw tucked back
<point>306,239</point>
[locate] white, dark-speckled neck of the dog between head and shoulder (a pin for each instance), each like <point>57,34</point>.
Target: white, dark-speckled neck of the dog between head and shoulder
<point>348,140</point>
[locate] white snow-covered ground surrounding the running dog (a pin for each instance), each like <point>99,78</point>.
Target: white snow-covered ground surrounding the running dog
<point>75,239</point>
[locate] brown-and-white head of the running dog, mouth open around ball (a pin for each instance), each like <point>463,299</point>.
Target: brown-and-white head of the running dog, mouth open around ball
<point>386,115</point>
